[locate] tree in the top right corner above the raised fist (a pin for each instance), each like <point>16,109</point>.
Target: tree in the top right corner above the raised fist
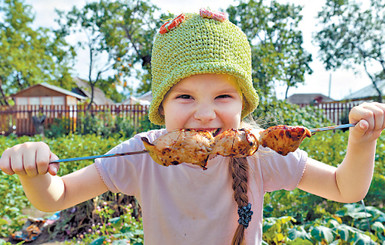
<point>352,37</point>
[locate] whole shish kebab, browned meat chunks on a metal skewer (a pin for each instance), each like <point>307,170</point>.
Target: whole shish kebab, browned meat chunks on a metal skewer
<point>195,146</point>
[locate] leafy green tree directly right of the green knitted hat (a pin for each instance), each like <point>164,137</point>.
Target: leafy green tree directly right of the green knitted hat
<point>276,42</point>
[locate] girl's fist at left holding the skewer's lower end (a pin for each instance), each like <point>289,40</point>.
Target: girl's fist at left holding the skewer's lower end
<point>29,159</point>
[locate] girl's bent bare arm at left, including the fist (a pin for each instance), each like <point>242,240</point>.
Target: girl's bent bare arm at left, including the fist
<point>45,190</point>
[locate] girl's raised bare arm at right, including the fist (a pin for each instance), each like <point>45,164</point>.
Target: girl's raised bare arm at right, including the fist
<point>351,180</point>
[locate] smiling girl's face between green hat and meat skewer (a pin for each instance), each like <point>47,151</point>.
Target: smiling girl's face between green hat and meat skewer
<point>206,101</point>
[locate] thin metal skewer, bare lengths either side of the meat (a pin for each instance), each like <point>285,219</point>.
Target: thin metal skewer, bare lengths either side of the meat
<point>314,130</point>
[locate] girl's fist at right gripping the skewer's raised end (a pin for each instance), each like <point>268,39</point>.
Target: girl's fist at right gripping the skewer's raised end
<point>370,119</point>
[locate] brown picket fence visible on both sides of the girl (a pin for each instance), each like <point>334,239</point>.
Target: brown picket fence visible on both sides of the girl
<point>18,119</point>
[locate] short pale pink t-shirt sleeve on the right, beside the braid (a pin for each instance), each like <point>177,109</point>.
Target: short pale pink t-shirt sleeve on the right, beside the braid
<point>282,172</point>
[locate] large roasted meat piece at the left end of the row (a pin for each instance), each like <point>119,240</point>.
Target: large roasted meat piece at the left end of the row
<point>185,145</point>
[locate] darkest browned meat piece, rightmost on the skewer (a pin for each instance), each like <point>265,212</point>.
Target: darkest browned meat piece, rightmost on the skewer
<point>283,139</point>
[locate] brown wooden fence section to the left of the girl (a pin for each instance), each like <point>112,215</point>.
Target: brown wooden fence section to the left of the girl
<point>19,119</point>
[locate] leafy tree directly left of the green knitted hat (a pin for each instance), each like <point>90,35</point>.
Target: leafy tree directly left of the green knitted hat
<point>130,34</point>
